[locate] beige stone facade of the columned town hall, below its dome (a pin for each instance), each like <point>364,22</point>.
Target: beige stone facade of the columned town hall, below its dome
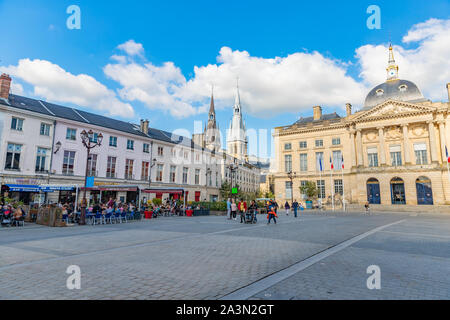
<point>397,145</point>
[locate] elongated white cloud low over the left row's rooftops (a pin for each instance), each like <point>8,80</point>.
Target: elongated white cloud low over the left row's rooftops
<point>53,83</point>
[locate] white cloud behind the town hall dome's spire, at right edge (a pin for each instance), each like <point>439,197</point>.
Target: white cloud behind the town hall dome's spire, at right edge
<point>427,65</point>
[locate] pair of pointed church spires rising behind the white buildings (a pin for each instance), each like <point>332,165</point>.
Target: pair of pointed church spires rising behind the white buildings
<point>237,142</point>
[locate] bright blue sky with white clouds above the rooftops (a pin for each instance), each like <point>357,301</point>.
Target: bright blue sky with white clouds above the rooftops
<point>318,35</point>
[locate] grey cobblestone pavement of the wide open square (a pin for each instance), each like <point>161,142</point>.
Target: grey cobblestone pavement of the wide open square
<point>211,257</point>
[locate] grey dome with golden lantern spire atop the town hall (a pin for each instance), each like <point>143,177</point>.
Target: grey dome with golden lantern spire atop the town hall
<point>394,88</point>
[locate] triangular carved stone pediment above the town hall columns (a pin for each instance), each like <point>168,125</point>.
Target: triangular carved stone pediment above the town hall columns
<point>392,108</point>
